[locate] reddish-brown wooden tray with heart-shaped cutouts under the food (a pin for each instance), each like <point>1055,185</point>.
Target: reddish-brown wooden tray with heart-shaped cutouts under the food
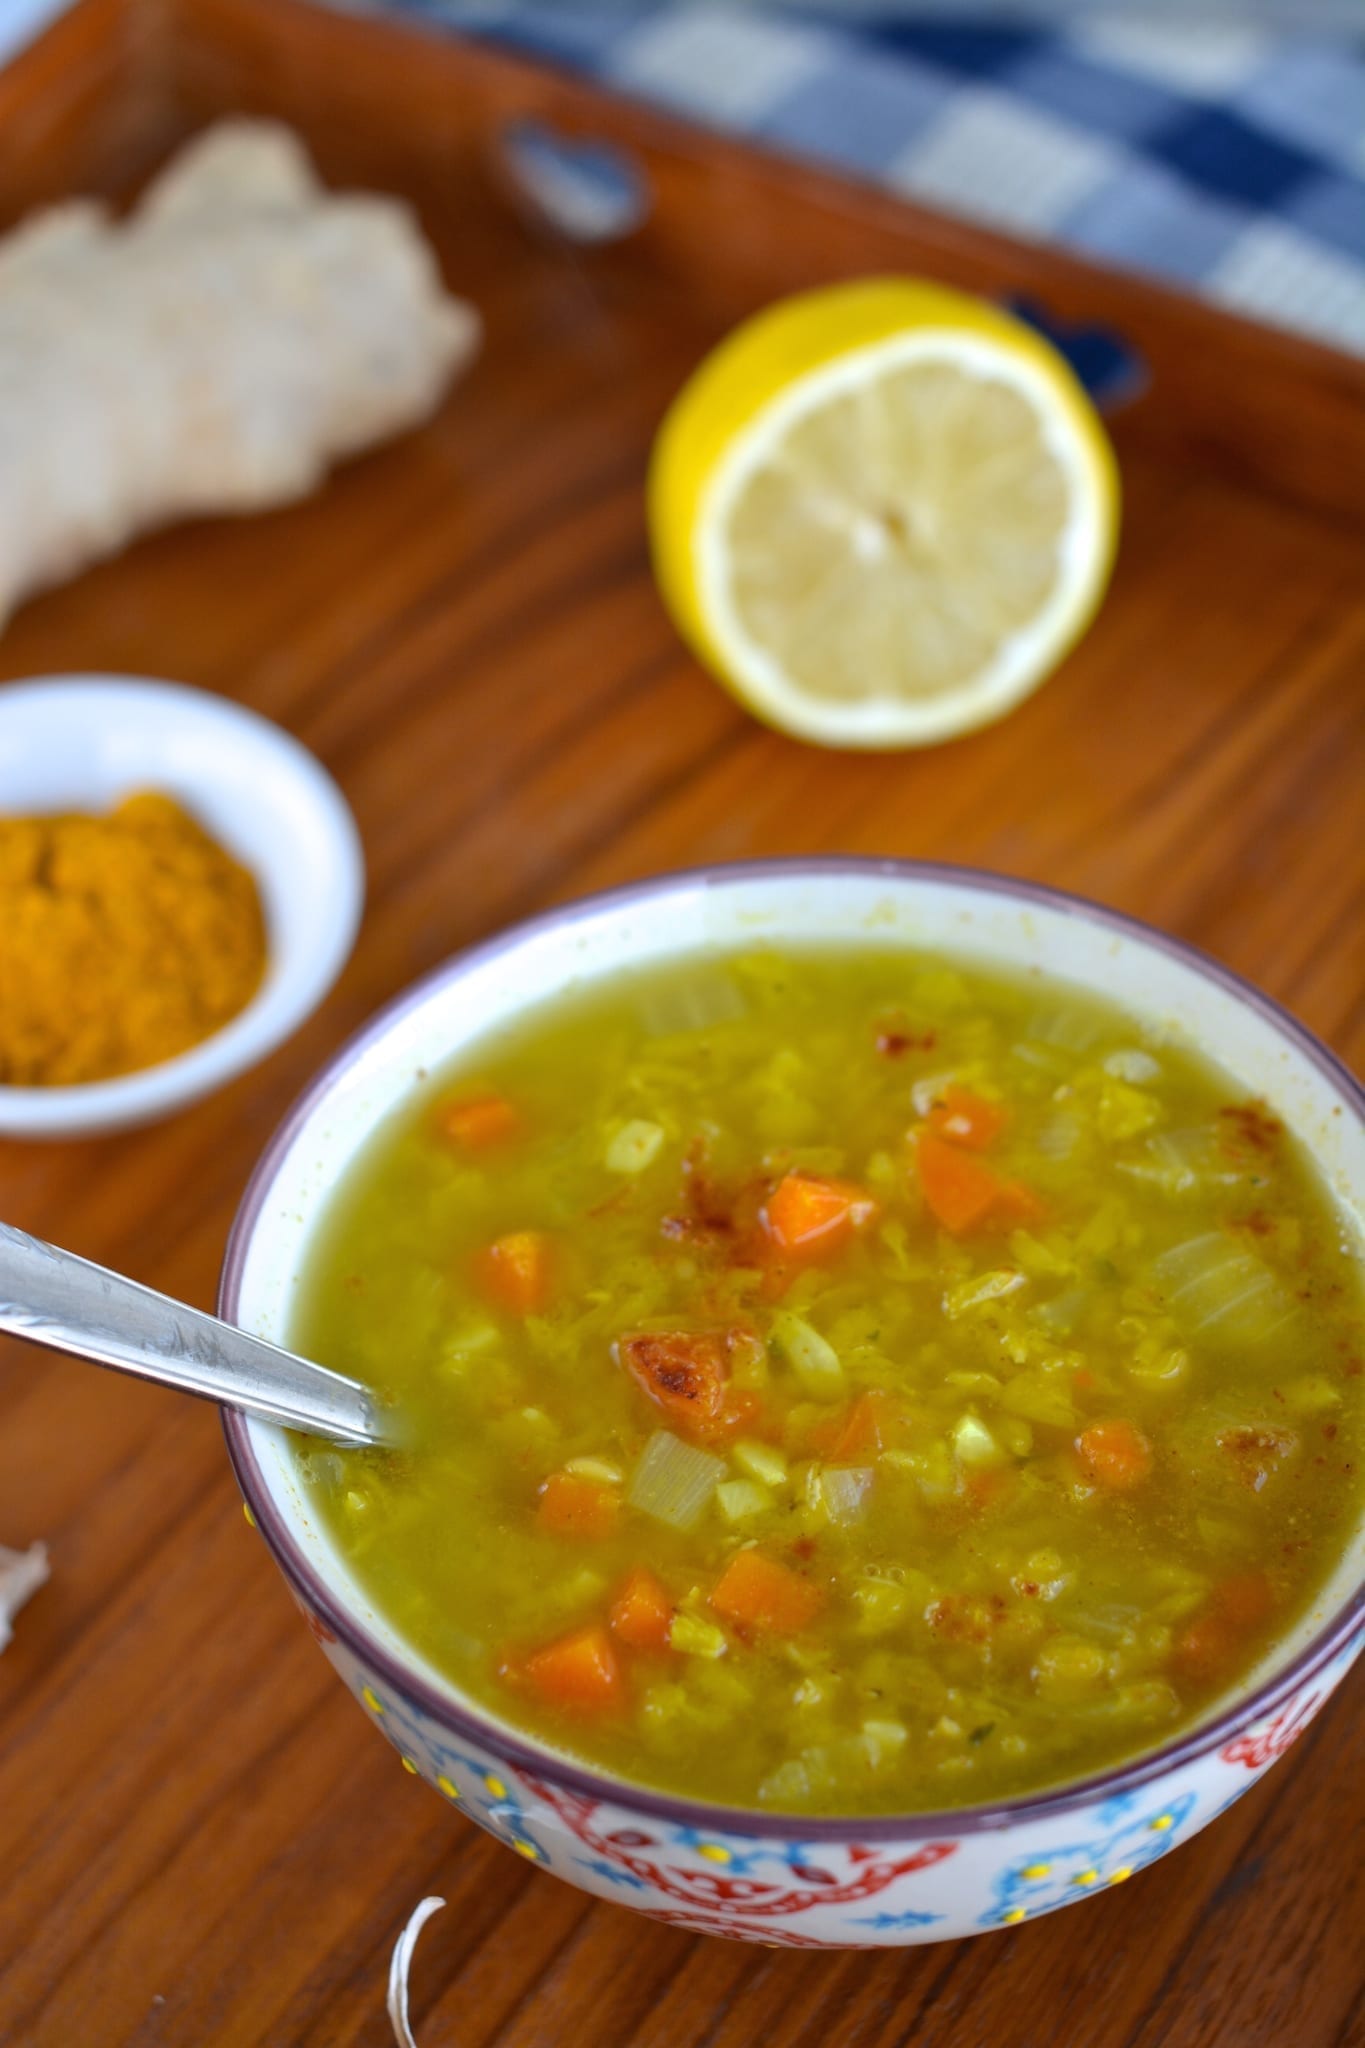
<point>200,1840</point>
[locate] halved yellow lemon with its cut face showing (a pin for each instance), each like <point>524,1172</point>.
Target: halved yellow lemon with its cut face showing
<point>883,513</point>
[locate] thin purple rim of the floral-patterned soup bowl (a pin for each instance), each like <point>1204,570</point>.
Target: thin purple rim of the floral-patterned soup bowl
<point>543,1762</point>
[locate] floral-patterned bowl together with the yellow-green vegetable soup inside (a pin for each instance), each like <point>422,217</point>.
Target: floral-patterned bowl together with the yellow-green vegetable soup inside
<point>881,1361</point>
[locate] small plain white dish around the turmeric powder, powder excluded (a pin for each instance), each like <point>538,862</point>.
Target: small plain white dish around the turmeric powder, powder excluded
<point>81,744</point>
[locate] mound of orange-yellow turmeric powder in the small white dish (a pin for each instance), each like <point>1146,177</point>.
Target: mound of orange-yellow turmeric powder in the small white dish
<point>124,941</point>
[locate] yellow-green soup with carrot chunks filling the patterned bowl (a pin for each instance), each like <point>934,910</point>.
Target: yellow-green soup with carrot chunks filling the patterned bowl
<point>840,1383</point>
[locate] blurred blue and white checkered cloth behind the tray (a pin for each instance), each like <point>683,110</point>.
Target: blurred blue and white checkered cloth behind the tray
<point>1221,157</point>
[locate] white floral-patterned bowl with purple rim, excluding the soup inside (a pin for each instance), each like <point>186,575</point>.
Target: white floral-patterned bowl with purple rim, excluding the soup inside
<point>803,1883</point>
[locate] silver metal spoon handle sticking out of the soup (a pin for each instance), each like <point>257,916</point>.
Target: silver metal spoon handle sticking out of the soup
<point>73,1306</point>
